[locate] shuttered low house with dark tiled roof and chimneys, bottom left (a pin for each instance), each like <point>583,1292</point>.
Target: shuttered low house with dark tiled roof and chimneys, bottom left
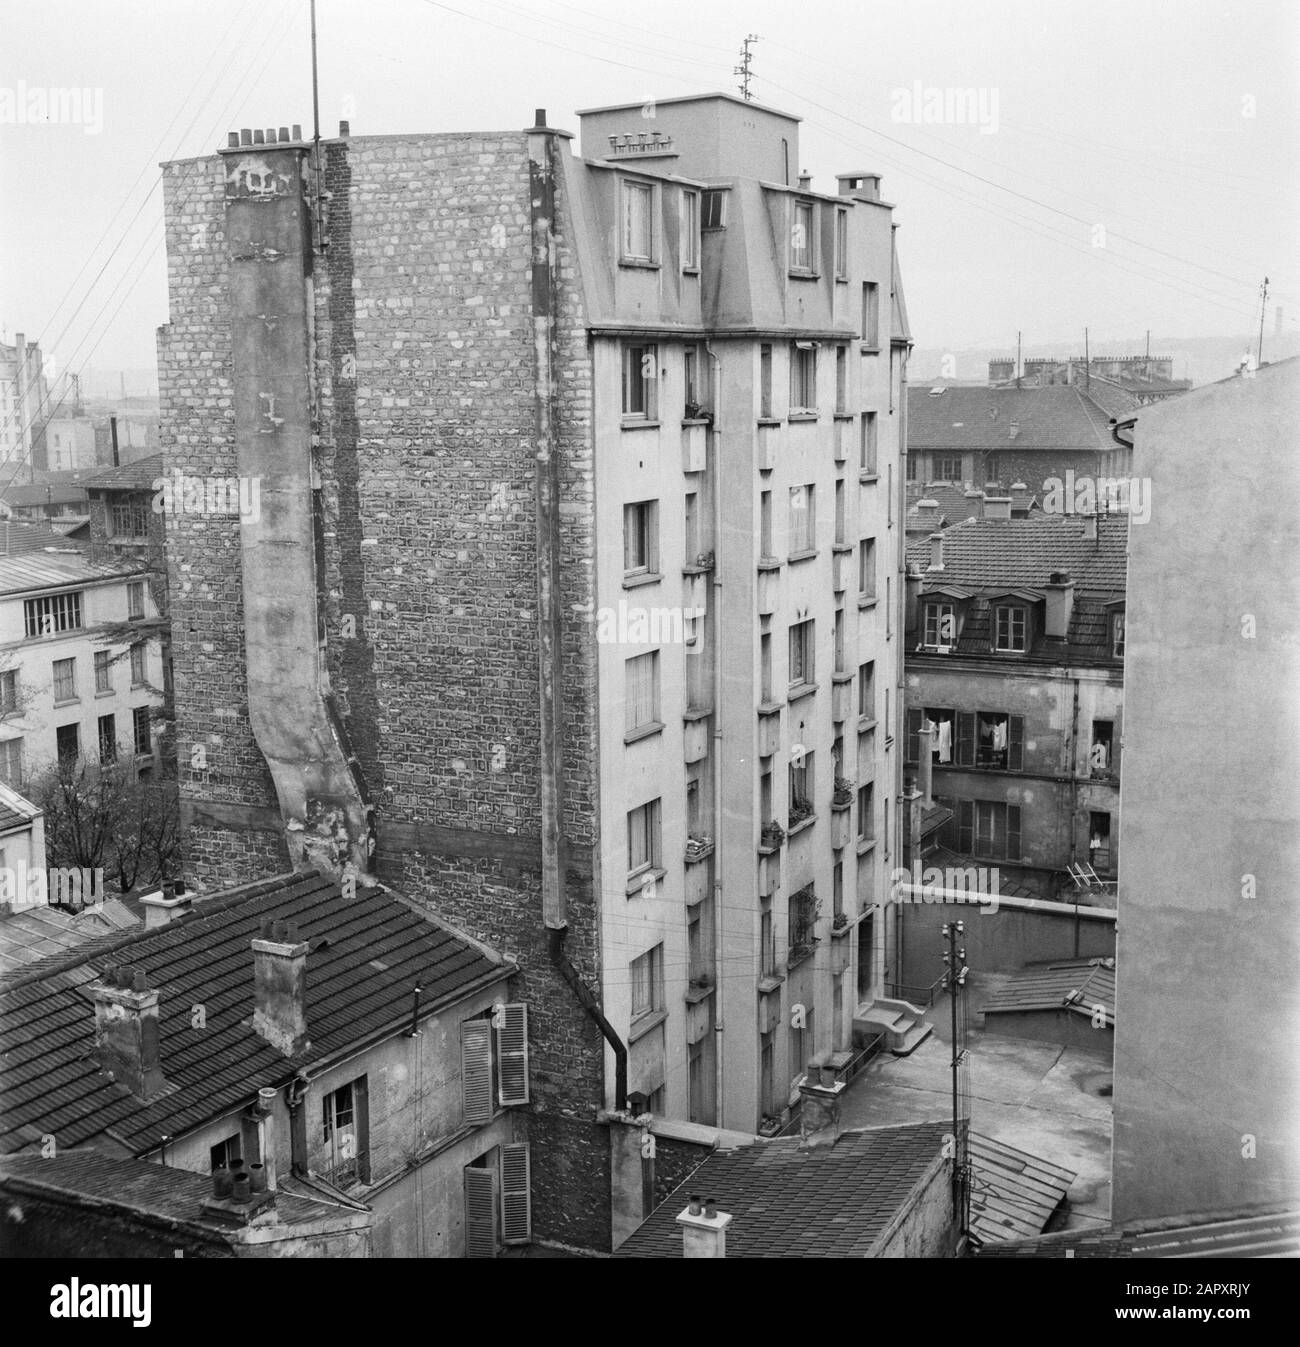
<point>343,1051</point>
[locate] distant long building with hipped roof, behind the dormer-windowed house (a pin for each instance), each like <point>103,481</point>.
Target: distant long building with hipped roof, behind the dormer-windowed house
<point>989,438</point>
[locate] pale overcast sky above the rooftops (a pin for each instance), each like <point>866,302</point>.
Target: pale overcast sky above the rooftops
<point>1135,165</point>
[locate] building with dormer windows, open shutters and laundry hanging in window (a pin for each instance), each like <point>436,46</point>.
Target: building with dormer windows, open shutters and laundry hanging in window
<point>1015,634</point>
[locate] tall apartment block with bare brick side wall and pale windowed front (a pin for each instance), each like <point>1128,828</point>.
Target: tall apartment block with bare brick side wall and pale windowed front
<point>577,566</point>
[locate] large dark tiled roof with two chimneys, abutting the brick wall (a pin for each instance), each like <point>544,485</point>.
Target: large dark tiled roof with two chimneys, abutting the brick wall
<point>367,954</point>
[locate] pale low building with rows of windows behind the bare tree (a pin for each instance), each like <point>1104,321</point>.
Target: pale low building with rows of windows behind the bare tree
<point>77,681</point>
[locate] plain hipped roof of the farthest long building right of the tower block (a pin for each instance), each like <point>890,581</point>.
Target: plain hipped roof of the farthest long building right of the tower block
<point>1055,418</point>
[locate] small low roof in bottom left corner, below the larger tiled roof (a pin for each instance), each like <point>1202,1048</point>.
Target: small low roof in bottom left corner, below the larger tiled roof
<point>143,1187</point>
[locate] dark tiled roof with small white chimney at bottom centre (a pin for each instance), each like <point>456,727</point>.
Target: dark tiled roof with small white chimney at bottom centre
<point>831,1202</point>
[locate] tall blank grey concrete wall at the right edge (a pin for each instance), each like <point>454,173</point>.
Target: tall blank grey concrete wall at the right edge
<point>1208,1104</point>
